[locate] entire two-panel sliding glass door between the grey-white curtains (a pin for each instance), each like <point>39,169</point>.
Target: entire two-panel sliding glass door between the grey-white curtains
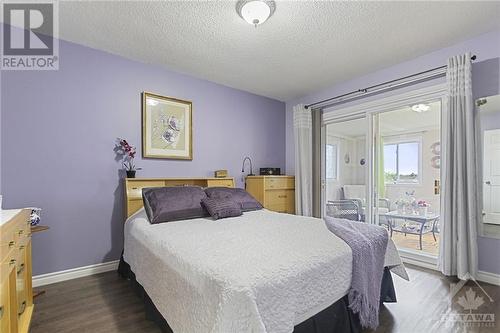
<point>381,165</point>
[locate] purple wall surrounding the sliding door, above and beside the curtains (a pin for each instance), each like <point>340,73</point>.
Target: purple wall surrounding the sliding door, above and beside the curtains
<point>486,72</point>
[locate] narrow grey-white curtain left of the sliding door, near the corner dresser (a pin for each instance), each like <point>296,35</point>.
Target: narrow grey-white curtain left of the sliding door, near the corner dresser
<point>302,130</point>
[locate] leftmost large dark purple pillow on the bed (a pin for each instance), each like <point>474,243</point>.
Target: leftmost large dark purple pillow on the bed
<point>165,204</point>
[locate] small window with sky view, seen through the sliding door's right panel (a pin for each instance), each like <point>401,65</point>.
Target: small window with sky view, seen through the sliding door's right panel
<point>402,163</point>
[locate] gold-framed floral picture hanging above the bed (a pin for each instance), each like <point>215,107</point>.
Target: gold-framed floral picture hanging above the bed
<point>167,130</point>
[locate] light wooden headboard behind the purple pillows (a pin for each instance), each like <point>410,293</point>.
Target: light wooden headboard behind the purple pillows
<point>134,186</point>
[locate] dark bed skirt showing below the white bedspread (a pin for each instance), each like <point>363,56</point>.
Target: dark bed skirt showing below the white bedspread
<point>336,318</point>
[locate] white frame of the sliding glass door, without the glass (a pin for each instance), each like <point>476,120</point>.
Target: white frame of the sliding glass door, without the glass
<point>371,110</point>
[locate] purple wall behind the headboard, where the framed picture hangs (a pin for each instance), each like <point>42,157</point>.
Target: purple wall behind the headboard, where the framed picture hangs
<point>58,132</point>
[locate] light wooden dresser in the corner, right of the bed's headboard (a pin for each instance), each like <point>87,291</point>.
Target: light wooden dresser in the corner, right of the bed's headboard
<point>275,193</point>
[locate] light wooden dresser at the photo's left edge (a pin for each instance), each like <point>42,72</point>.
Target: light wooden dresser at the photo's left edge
<point>16,294</point>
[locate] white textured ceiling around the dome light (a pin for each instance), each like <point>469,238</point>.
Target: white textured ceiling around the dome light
<point>304,47</point>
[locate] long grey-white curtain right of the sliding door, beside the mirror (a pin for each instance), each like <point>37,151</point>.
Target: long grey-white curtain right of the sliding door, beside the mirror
<point>460,188</point>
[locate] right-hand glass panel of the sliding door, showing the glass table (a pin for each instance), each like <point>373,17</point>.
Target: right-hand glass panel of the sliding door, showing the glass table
<point>406,174</point>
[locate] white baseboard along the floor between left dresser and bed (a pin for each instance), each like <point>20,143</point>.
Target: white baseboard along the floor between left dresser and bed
<point>74,273</point>
